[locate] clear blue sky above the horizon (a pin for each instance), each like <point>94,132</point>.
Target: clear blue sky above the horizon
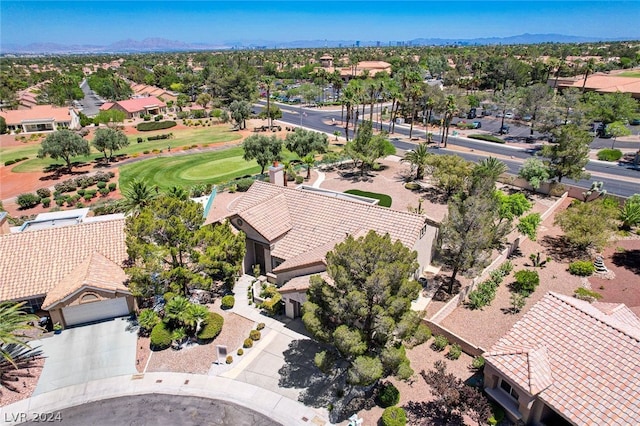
<point>100,22</point>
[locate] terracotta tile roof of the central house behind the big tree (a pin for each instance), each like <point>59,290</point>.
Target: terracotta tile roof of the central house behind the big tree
<point>305,221</point>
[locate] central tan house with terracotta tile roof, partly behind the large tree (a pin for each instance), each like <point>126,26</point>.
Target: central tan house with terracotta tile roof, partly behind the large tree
<point>289,232</point>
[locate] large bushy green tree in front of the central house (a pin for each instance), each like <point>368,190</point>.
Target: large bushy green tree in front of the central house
<point>365,313</point>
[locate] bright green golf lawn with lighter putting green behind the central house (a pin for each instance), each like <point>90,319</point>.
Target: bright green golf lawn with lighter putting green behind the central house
<point>188,170</point>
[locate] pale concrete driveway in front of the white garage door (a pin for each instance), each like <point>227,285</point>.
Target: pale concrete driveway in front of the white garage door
<point>90,352</point>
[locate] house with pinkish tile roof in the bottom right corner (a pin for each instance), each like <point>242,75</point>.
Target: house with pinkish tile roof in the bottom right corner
<point>568,362</point>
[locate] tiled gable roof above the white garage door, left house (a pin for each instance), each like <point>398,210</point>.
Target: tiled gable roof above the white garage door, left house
<point>94,271</point>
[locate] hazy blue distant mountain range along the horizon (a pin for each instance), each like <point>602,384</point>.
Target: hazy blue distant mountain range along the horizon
<point>163,45</point>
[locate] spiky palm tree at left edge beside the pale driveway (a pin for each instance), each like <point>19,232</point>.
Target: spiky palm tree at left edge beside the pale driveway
<point>13,321</point>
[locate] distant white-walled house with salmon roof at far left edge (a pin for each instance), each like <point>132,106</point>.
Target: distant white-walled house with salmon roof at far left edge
<point>41,118</point>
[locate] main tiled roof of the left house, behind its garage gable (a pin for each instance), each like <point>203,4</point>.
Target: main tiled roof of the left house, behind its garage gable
<point>33,263</point>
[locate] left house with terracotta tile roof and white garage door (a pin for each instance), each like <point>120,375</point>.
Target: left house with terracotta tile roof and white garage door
<point>74,272</point>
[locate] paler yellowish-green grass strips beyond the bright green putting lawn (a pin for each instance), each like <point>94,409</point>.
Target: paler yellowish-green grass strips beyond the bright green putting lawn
<point>182,138</point>
